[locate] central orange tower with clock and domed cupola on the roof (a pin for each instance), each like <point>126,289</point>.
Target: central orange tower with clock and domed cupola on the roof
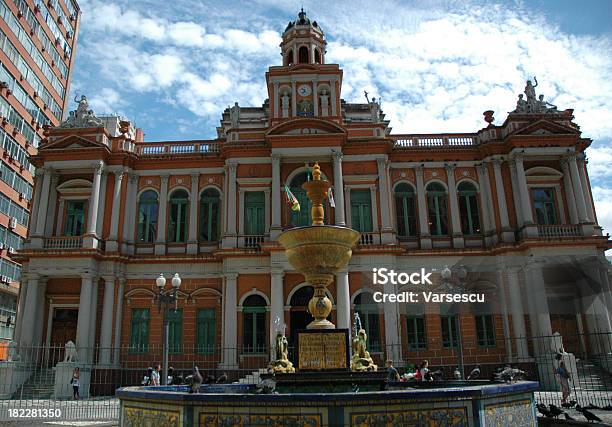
<point>304,86</point>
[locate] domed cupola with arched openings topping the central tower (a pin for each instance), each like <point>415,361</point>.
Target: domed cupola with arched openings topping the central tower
<point>303,42</point>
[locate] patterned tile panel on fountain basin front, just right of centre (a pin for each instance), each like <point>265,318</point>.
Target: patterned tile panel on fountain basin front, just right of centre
<point>449,417</point>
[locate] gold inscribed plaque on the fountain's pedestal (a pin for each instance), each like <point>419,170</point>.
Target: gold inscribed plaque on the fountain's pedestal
<point>323,349</point>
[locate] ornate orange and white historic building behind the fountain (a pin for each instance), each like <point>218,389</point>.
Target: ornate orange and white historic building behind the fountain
<point>506,211</point>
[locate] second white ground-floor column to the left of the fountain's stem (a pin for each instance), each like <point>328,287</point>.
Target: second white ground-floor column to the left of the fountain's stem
<point>230,333</point>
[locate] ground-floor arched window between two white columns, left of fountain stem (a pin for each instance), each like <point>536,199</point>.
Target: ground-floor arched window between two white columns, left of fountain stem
<point>254,324</point>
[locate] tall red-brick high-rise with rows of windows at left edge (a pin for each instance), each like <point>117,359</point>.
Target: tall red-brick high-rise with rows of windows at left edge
<point>37,41</point>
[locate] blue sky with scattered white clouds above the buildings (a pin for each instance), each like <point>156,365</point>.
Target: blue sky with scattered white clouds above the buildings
<point>172,67</point>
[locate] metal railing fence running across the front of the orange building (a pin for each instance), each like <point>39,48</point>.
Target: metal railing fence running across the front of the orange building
<point>38,378</point>
